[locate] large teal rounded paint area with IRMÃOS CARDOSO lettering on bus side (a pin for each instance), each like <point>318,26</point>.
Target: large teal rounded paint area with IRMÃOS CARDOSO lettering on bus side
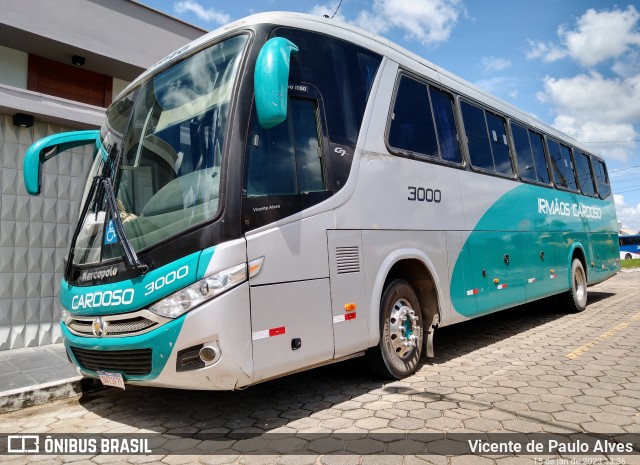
<point>524,243</point>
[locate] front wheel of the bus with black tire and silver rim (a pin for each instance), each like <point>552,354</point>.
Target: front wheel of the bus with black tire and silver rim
<point>398,353</point>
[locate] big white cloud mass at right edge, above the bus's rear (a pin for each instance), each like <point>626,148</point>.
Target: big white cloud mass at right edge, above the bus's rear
<point>589,106</point>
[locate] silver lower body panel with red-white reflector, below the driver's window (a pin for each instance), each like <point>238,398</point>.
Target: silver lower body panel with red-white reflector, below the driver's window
<point>291,319</point>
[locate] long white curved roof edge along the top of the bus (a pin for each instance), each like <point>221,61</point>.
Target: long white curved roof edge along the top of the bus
<point>378,44</point>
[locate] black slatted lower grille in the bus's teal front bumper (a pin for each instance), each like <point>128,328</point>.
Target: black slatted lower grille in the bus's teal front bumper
<point>129,362</point>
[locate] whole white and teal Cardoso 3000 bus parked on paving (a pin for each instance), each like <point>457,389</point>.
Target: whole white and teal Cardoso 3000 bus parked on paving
<point>288,191</point>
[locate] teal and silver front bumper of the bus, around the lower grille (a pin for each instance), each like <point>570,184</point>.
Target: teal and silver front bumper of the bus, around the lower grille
<point>150,358</point>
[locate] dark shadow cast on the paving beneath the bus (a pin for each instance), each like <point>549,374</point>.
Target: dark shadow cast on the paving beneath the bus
<point>293,400</point>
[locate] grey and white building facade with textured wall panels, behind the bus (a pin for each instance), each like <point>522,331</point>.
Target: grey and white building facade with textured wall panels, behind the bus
<point>119,38</point>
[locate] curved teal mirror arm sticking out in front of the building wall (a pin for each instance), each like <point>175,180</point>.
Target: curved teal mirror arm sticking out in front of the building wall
<point>47,148</point>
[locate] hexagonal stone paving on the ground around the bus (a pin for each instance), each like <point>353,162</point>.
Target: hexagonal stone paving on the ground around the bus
<point>496,381</point>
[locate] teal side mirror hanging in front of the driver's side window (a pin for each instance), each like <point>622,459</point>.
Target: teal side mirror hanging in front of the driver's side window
<point>271,81</point>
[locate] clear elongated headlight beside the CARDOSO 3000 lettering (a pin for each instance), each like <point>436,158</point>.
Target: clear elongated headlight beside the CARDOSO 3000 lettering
<point>206,289</point>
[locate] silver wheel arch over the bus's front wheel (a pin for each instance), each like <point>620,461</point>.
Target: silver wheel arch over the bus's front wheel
<point>416,268</point>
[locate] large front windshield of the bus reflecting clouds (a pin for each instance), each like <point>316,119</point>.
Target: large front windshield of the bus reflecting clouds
<point>169,138</point>
